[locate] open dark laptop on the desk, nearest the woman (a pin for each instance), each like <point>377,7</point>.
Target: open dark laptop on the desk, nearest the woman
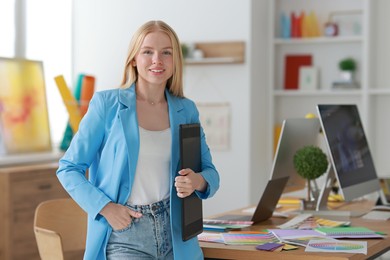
<point>266,205</point>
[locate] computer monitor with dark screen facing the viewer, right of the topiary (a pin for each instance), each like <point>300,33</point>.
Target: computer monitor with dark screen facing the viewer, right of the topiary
<point>349,151</point>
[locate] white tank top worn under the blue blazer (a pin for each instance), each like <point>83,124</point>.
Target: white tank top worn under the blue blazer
<point>152,175</point>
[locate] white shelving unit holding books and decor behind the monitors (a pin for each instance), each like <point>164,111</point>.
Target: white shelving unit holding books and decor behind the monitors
<point>366,45</point>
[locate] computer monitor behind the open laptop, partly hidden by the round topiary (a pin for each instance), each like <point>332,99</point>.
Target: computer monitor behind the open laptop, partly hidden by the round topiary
<point>295,134</point>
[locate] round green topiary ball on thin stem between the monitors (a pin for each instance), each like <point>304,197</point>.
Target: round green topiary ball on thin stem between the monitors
<point>310,162</point>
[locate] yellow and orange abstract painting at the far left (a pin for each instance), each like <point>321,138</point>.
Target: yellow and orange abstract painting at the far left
<point>24,122</point>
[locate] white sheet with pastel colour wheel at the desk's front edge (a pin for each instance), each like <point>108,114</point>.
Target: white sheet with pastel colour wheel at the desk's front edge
<point>337,246</point>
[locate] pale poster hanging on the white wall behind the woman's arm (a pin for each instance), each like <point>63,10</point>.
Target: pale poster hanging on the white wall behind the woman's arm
<point>215,119</point>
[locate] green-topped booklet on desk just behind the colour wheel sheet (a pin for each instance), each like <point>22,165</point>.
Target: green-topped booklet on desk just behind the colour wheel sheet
<point>350,232</point>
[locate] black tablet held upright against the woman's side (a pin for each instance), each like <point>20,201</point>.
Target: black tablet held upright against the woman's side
<point>190,157</point>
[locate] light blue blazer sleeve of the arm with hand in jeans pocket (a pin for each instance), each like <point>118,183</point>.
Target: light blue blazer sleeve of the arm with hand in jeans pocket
<point>82,151</point>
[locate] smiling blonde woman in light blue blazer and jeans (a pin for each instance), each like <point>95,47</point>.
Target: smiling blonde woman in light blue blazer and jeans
<point>129,141</point>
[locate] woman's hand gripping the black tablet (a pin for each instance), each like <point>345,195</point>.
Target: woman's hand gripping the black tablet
<point>188,182</point>
